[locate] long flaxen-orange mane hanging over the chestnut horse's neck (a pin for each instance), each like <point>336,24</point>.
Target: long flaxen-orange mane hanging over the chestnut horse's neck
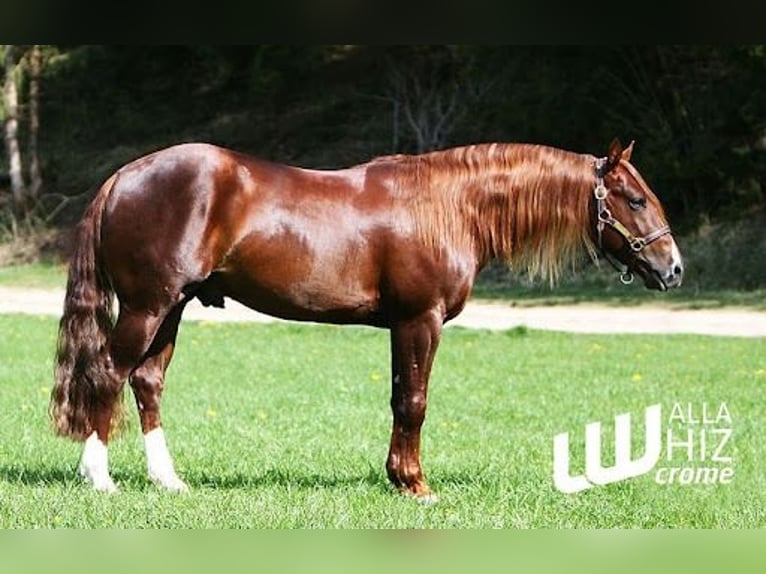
<point>526,204</point>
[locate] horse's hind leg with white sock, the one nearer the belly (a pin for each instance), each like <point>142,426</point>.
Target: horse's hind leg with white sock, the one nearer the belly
<point>147,382</point>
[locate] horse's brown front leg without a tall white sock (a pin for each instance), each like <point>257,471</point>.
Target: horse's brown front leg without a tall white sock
<point>413,346</point>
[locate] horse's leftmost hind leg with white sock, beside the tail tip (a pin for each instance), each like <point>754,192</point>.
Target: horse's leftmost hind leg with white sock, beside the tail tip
<point>129,341</point>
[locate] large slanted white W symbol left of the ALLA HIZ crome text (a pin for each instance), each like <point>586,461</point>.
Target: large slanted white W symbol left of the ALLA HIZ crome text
<point>624,467</point>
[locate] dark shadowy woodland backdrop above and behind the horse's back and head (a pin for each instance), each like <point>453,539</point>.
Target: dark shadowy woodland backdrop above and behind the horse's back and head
<point>697,113</point>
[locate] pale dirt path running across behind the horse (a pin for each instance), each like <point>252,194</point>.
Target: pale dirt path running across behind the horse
<point>577,318</point>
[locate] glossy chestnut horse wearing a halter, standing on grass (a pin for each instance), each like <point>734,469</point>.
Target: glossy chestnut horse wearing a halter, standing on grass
<point>395,243</point>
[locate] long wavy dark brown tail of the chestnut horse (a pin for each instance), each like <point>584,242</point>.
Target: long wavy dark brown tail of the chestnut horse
<point>82,383</point>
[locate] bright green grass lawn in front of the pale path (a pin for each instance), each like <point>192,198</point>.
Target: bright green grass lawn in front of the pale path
<point>285,426</point>
